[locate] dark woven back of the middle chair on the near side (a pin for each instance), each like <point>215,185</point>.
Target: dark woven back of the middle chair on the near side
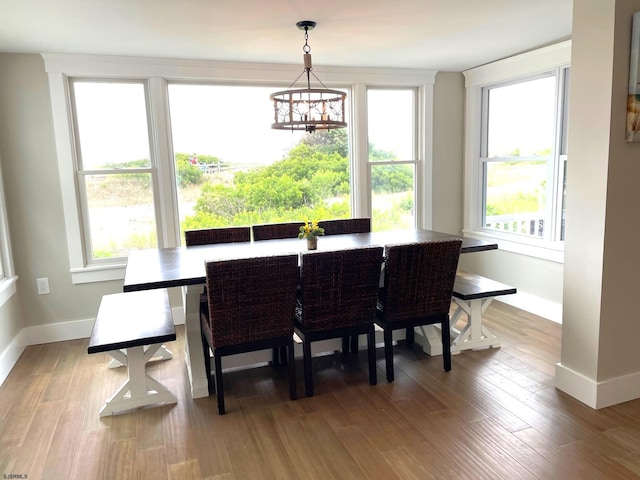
<point>339,289</point>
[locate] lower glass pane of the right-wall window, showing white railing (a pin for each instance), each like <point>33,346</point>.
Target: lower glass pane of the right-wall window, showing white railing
<point>516,197</point>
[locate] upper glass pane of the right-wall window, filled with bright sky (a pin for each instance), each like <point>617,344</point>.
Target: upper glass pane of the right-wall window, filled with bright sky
<point>521,118</point>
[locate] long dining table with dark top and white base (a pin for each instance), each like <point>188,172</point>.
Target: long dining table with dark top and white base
<point>185,267</point>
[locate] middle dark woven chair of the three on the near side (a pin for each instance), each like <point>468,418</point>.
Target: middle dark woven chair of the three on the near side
<point>337,298</point>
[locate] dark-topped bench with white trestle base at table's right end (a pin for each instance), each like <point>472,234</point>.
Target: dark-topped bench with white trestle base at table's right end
<point>473,293</point>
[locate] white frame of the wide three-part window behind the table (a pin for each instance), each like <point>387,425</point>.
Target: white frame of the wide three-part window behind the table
<point>157,73</point>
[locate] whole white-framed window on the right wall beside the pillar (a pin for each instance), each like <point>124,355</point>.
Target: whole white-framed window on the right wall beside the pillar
<point>518,173</point>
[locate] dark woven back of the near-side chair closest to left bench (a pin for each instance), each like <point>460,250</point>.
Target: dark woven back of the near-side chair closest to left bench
<point>251,299</point>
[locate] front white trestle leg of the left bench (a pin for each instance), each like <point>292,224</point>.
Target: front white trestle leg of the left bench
<point>139,390</point>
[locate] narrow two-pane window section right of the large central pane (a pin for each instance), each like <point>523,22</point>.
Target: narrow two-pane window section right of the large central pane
<point>391,123</point>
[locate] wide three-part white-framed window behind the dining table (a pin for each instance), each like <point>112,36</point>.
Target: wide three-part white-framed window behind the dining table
<point>150,147</point>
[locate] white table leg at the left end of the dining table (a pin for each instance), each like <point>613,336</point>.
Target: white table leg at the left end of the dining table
<point>193,343</point>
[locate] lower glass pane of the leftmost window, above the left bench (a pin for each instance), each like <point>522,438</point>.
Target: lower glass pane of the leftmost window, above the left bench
<point>121,213</point>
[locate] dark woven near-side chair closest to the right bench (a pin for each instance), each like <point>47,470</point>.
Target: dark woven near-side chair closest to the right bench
<point>418,285</point>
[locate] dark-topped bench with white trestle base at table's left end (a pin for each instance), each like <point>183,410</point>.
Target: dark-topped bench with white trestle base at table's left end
<point>126,323</point>
